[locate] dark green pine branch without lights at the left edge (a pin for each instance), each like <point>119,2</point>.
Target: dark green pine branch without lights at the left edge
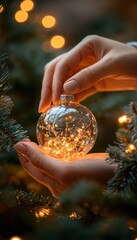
<point>10,131</point>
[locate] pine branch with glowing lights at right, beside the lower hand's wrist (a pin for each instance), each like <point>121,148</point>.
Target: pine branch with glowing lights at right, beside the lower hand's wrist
<point>124,154</point>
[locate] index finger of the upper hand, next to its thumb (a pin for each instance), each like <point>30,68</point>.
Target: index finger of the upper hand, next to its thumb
<point>72,59</point>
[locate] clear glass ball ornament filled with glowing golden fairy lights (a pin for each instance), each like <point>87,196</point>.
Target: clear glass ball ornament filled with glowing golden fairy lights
<point>67,131</point>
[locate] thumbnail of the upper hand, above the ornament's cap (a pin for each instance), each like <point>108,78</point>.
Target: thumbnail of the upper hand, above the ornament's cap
<point>71,86</point>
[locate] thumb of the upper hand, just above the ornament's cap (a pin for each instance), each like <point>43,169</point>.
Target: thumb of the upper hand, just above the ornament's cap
<point>89,76</point>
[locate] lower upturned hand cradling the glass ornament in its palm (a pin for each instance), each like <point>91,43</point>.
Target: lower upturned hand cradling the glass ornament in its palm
<point>58,175</point>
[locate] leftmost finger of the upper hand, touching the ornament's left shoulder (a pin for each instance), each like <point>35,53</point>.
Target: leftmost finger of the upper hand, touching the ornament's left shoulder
<point>46,91</point>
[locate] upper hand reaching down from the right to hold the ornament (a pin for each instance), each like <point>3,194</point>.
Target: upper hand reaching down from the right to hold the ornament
<point>96,64</point>
